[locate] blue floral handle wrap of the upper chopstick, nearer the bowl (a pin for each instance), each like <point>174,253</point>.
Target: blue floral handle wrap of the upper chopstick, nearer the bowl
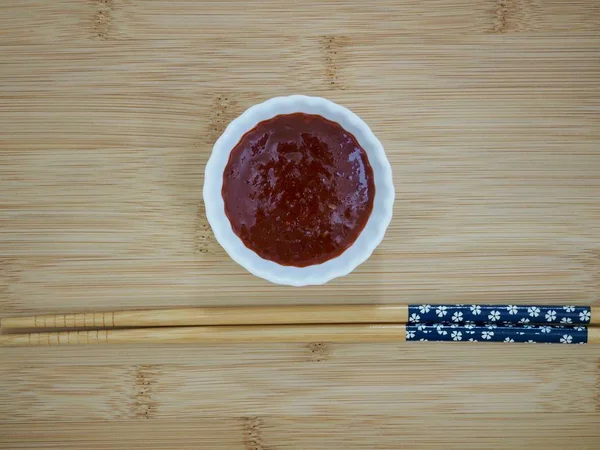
<point>507,314</point>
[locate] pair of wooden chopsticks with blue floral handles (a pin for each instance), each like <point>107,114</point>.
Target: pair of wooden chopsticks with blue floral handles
<point>331,323</point>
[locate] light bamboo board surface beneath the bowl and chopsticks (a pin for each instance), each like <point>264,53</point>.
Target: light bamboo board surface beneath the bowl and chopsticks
<point>489,113</point>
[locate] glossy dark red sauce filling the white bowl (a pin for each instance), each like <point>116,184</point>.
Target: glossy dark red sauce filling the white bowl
<point>298,189</point>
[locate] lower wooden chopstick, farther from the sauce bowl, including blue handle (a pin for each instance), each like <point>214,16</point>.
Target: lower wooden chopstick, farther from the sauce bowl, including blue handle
<point>311,333</point>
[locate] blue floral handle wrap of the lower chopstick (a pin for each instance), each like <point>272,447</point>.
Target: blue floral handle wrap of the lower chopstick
<point>492,333</point>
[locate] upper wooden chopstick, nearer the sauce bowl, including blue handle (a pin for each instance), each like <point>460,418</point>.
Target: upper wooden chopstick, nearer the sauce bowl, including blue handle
<point>313,314</point>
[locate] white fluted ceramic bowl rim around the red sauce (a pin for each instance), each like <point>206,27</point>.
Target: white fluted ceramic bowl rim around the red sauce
<point>368,239</point>
